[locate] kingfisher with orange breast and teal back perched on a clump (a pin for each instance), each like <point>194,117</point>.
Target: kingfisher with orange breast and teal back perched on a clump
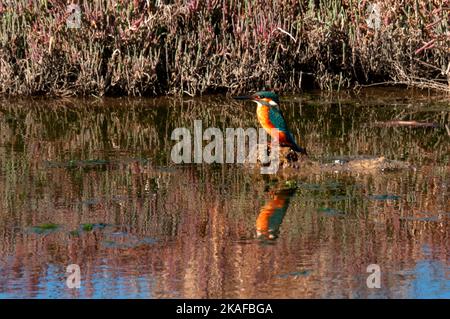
<point>270,117</point>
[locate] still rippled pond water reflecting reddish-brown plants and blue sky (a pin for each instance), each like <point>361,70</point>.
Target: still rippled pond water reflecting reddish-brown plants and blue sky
<point>90,182</point>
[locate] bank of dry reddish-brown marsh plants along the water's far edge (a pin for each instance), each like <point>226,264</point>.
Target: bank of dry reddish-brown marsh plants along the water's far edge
<point>196,47</point>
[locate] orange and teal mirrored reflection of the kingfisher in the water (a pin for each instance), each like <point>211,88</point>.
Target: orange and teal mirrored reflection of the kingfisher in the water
<point>272,213</point>
